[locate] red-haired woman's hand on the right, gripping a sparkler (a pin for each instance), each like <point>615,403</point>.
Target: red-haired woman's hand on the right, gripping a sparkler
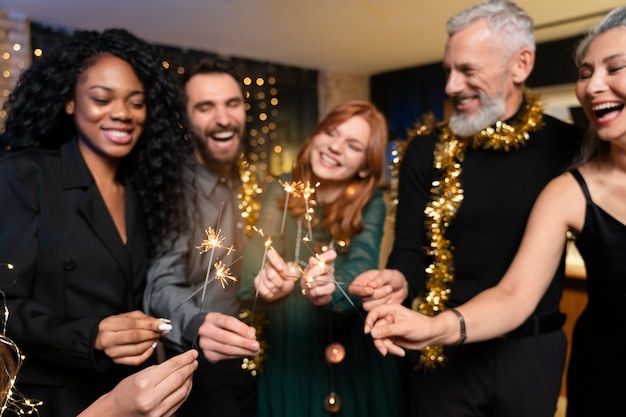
<point>317,282</point>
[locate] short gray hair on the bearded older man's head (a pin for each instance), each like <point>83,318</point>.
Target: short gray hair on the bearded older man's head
<point>513,25</point>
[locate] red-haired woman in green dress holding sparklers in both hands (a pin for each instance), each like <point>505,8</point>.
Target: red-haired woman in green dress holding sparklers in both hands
<point>318,362</point>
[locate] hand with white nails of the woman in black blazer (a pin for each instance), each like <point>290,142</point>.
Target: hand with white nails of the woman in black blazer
<point>130,338</point>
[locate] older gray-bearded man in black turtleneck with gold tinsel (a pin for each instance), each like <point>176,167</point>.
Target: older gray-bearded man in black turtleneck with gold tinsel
<point>475,180</point>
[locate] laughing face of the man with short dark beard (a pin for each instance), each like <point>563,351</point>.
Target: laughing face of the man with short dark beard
<point>215,106</point>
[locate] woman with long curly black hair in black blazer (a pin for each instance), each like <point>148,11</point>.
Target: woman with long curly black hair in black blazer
<point>94,146</point>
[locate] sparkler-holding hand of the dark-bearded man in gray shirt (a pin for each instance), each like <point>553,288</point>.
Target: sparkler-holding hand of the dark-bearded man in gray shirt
<point>226,337</point>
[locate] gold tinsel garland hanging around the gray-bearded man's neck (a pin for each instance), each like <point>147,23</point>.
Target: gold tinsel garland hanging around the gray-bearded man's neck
<point>447,196</point>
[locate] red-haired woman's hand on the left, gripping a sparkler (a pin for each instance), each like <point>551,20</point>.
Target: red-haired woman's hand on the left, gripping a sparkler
<point>276,278</point>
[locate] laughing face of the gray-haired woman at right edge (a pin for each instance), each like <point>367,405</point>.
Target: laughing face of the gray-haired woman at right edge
<point>601,85</point>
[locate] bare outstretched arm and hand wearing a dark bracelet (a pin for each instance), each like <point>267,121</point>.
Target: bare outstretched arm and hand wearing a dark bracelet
<point>497,310</point>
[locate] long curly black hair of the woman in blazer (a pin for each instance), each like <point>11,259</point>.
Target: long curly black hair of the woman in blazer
<point>36,117</point>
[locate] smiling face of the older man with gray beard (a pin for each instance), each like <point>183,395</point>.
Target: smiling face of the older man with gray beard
<point>479,81</point>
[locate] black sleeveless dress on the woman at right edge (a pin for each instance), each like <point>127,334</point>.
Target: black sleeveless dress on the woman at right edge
<point>596,382</point>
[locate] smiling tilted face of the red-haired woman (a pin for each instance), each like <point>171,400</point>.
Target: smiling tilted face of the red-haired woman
<point>339,154</point>
